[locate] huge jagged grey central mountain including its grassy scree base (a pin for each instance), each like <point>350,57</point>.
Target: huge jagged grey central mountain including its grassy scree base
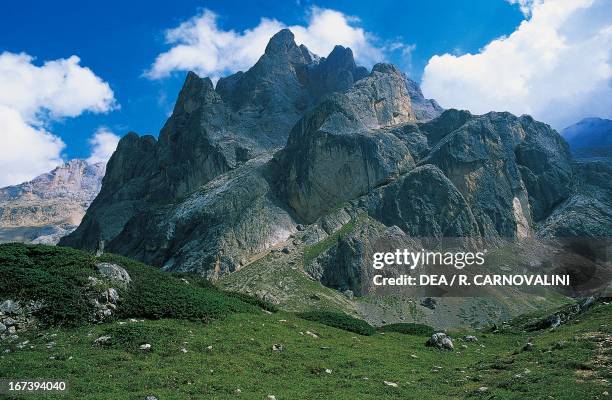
<point>302,167</point>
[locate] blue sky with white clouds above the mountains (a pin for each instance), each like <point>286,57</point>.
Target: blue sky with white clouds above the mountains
<point>542,57</point>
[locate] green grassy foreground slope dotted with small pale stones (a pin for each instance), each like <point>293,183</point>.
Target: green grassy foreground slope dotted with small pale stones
<point>211,358</point>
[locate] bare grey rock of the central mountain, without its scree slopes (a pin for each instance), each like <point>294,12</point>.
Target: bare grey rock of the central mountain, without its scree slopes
<point>239,167</point>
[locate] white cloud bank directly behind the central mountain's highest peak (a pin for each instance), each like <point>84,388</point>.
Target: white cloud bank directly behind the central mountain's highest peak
<point>199,44</point>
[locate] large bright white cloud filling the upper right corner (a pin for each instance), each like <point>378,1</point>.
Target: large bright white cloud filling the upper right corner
<point>556,66</point>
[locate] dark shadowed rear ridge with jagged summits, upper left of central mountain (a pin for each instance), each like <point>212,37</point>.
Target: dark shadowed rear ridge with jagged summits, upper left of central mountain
<point>214,130</point>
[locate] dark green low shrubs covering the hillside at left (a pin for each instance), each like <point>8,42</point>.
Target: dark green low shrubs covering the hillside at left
<point>58,277</point>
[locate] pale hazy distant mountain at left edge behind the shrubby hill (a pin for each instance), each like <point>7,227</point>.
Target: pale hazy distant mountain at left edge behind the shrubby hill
<point>51,205</point>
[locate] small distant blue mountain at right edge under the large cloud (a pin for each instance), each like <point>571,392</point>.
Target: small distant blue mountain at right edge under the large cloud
<point>590,136</point>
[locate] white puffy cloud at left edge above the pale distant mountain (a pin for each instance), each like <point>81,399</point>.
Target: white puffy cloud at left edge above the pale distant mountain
<point>33,96</point>
